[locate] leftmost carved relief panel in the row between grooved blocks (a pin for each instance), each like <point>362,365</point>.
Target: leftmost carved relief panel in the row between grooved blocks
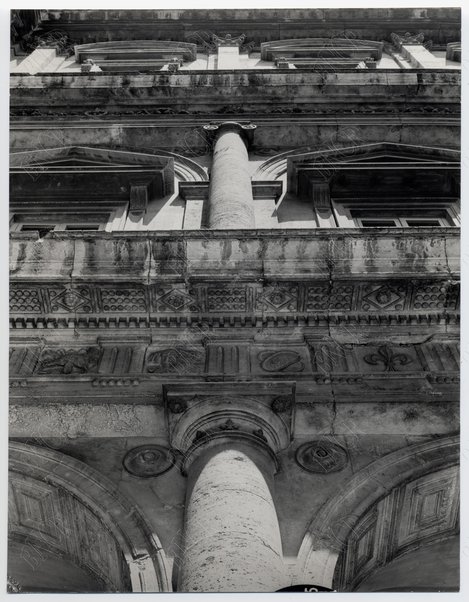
<point>69,361</point>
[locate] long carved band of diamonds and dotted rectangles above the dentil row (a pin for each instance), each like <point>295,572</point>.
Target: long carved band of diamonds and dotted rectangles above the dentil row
<point>340,298</point>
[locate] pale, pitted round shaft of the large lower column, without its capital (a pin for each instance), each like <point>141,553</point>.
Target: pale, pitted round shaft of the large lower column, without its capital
<point>232,537</point>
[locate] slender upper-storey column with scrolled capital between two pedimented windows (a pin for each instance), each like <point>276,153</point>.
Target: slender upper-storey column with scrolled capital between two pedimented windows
<point>230,192</point>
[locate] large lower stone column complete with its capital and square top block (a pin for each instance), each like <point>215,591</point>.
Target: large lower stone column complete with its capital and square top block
<point>228,436</point>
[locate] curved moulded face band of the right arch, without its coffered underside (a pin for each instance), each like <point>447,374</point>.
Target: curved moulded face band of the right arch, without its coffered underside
<point>328,531</point>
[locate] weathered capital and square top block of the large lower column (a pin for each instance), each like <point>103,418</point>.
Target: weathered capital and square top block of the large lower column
<point>203,415</point>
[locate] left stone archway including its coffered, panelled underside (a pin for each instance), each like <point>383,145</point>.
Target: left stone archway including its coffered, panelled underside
<point>60,507</point>
